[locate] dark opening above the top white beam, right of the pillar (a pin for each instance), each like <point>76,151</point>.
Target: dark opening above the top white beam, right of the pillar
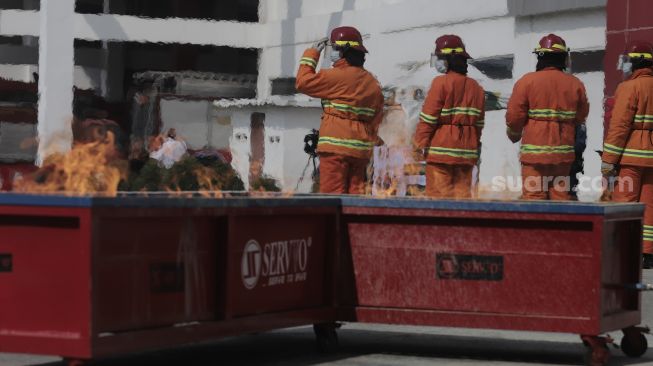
<point>238,10</point>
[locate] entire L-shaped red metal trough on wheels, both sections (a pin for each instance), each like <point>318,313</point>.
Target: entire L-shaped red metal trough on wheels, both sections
<point>92,277</point>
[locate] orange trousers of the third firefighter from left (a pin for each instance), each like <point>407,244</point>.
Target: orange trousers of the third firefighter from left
<point>546,182</point>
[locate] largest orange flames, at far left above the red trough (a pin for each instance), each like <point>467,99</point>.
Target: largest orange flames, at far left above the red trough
<point>89,168</point>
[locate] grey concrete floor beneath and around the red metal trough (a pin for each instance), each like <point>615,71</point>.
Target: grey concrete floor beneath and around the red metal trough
<point>363,345</point>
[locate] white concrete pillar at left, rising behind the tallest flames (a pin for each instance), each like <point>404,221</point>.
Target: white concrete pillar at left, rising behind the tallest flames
<point>56,66</point>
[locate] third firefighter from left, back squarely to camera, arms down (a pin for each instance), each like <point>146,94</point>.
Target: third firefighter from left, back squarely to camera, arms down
<point>544,111</point>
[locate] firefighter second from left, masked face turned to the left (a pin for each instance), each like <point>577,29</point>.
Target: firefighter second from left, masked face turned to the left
<point>449,131</point>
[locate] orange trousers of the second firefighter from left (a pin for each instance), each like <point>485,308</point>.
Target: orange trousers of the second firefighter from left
<point>449,180</point>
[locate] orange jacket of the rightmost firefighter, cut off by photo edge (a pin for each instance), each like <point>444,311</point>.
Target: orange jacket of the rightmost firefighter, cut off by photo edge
<point>629,140</point>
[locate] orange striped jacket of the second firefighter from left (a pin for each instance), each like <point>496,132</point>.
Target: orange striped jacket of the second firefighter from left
<point>451,121</point>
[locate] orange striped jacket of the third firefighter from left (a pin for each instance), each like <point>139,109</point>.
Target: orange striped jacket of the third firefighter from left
<point>544,109</point>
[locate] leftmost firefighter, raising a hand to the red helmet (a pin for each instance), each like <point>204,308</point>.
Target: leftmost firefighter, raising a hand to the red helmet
<point>353,109</point>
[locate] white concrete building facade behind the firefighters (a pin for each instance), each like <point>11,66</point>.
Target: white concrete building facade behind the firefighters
<point>112,40</point>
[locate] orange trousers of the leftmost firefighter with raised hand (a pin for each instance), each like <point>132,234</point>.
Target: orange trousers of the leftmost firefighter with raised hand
<point>341,174</point>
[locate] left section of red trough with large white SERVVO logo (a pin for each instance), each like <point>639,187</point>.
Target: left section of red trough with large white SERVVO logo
<point>92,277</point>
